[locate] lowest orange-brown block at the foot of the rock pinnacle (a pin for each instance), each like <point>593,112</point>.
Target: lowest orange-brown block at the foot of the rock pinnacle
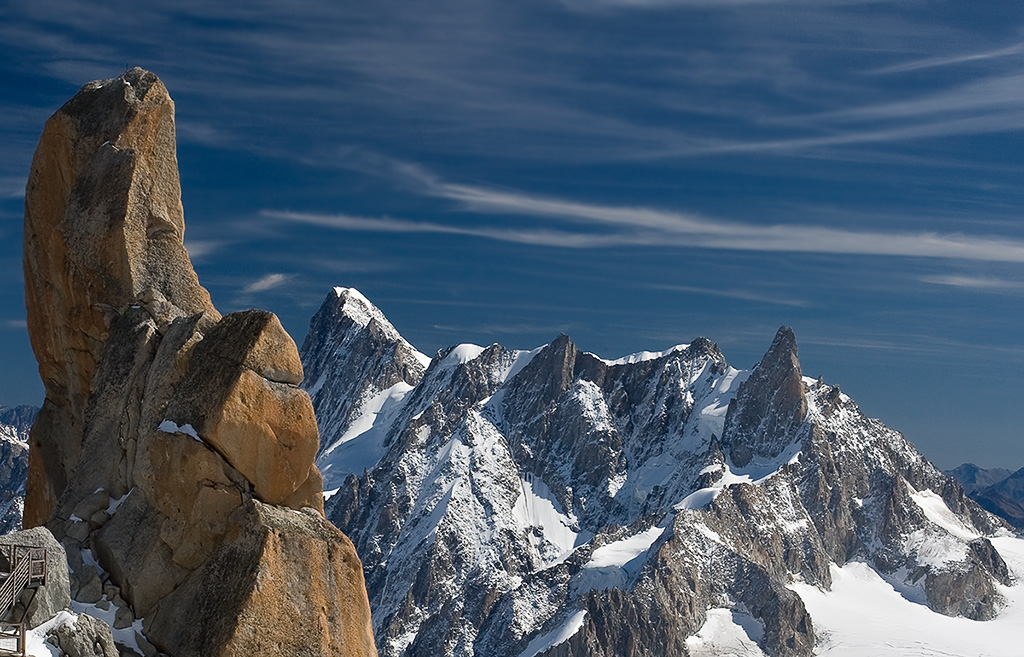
<point>293,581</point>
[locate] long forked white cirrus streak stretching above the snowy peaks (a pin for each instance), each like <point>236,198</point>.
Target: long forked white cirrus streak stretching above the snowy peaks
<point>586,226</point>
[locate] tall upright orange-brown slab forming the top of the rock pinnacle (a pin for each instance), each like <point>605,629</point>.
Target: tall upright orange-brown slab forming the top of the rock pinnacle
<point>104,226</point>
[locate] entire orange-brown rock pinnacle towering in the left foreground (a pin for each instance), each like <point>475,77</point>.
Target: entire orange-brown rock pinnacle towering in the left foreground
<point>163,421</point>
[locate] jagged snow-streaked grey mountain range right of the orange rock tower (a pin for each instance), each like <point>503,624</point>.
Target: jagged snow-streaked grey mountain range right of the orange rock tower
<point>552,503</point>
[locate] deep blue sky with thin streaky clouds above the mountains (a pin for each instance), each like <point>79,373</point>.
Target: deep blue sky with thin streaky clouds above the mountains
<point>634,173</point>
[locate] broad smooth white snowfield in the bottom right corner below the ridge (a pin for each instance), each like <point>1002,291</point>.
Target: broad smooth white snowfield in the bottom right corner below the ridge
<point>865,617</point>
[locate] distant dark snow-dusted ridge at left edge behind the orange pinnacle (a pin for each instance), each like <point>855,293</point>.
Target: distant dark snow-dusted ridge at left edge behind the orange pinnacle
<point>15,427</point>
